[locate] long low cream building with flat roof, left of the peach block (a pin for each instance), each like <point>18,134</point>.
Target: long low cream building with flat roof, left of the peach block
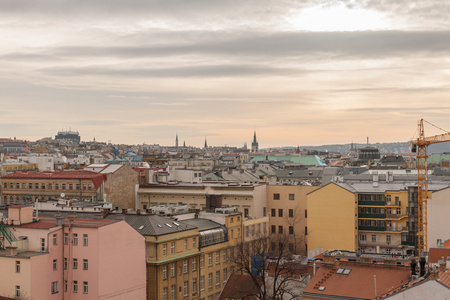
<point>249,199</point>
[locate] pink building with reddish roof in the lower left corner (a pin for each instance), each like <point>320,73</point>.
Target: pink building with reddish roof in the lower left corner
<point>56,258</point>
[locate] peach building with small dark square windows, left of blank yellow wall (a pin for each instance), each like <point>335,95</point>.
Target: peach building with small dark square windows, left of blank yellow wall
<point>286,206</point>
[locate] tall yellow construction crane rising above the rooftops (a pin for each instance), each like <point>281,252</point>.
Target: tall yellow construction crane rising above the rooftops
<point>420,146</point>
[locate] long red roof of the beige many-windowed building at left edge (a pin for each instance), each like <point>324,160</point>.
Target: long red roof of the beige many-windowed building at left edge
<point>97,179</point>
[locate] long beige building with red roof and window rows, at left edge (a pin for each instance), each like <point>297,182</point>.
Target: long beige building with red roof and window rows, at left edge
<point>22,187</point>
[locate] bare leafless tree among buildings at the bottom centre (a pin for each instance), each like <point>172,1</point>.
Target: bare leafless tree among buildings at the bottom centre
<point>274,270</point>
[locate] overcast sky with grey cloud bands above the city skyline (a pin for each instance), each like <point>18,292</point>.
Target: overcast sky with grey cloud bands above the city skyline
<point>298,72</point>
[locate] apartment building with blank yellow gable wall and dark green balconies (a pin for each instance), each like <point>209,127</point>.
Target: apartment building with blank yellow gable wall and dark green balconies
<point>370,216</point>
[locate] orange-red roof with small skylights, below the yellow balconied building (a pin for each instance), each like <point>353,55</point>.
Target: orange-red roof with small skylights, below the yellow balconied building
<point>359,283</point>
